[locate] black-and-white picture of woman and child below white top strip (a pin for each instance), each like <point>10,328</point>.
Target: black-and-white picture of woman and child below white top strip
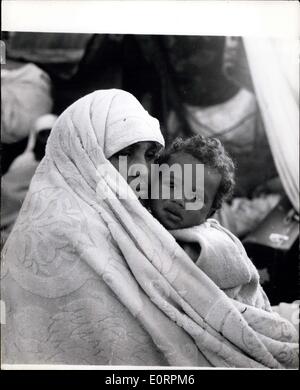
<point>149,200</point>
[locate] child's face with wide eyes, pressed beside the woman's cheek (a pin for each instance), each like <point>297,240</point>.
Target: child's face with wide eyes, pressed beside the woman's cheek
<point>172,213</point>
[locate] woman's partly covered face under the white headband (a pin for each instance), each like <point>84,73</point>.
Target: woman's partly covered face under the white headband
<point>139,154</point>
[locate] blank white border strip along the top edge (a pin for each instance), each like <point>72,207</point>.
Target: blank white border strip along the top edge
<point>255,18</point>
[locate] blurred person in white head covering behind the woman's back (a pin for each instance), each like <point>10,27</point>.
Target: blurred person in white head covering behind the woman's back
<point>16,181</point>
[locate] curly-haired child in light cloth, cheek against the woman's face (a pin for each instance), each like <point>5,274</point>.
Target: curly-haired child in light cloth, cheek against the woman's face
<point>215,250</point>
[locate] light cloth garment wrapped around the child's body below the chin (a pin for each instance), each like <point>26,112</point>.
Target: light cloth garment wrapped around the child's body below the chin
<point>224,259</point>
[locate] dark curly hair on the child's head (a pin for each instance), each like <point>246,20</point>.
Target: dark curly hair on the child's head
<point>209,151</point>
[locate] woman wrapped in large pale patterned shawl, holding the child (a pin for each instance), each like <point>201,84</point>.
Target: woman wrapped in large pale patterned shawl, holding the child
<point>90,277</point>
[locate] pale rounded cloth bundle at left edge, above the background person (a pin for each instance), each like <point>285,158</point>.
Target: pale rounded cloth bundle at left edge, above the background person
<point>26,95</point>
